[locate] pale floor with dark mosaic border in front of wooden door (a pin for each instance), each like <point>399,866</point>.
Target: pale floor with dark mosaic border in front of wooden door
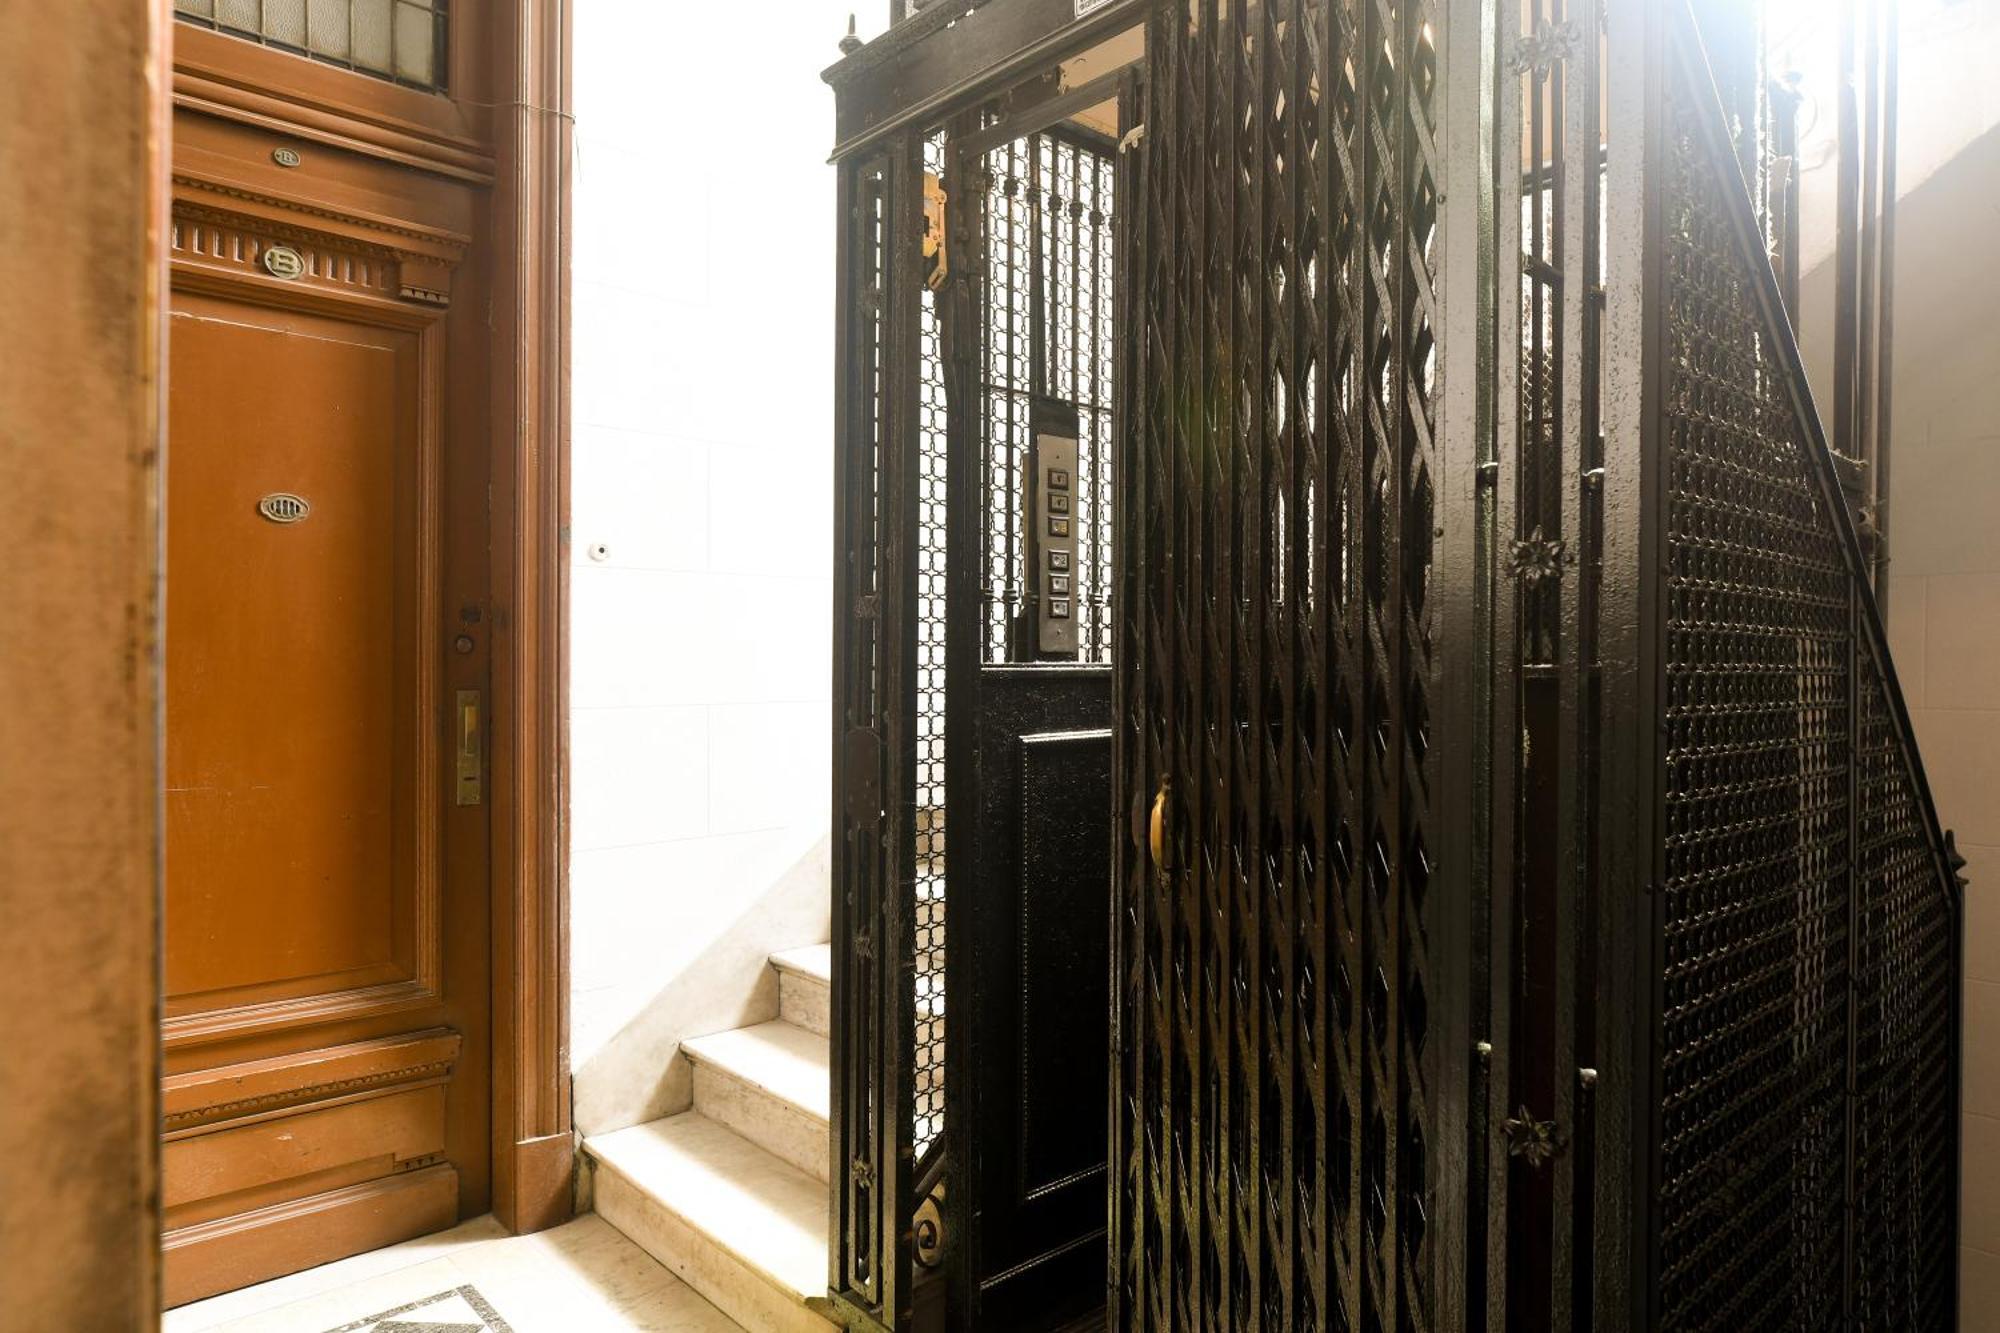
<point>581,1278</point>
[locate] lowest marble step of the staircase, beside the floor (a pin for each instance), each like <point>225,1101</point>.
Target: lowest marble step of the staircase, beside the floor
<point>731,1220</point>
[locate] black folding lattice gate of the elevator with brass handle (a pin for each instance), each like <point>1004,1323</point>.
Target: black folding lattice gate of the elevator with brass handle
<point>1275,1136</point>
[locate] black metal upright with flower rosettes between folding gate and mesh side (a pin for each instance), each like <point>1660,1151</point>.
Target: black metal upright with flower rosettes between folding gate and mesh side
<point>1533,1116</point>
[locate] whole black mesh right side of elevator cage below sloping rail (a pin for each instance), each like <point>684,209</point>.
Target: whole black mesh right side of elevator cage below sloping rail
<point>1807,1006</point>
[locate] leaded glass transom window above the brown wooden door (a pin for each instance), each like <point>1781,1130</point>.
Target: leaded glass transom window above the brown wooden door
<point>401,41</point>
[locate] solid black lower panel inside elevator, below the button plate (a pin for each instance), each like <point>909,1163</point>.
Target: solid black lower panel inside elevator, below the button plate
<point>1037,898</point>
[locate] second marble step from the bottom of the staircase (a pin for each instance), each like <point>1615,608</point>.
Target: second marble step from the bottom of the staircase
<point>771,1084</point>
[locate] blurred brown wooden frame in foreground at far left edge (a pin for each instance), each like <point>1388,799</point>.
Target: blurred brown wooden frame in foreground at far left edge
<point>85,269</point>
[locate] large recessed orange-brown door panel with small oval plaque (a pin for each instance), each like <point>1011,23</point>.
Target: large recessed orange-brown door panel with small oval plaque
<point>293,774</point>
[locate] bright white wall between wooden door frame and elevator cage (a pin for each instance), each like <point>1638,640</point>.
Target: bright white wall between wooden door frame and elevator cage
<point>703,477</point>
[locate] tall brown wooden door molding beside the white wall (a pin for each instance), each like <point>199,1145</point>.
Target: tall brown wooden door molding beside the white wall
<point>535,1150</point>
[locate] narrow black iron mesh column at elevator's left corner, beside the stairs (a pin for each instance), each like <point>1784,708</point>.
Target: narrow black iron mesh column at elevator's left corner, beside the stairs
<point>877,736</point>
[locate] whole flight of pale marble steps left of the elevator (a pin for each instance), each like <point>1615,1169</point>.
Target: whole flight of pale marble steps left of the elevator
<point>733,1194</point>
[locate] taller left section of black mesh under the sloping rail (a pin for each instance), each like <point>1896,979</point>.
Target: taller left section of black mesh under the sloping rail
<point>1757,810</point>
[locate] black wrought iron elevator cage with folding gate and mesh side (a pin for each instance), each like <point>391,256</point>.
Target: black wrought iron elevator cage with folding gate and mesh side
<point>1529,908</point>
